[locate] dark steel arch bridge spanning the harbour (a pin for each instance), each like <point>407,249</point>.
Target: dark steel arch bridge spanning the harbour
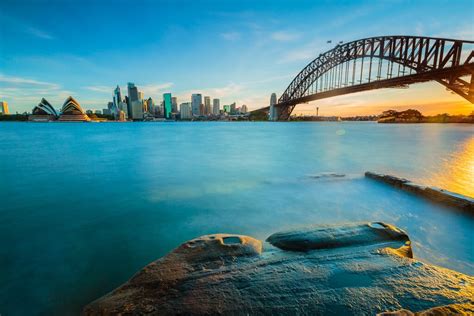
<point>382,62</point>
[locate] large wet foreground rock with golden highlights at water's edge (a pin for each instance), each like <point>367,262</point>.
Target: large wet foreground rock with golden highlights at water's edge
<point>349,269</point>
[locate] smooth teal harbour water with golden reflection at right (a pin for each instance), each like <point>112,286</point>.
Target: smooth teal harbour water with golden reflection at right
<point>84,206</point>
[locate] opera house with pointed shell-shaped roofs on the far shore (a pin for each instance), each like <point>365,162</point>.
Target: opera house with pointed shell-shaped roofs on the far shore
<point>70,112</point>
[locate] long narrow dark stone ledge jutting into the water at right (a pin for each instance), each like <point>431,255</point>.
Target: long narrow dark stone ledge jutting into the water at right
<point>448,198</point>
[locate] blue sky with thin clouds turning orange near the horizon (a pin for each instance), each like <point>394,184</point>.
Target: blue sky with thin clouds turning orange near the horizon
<point>237,51</point>
